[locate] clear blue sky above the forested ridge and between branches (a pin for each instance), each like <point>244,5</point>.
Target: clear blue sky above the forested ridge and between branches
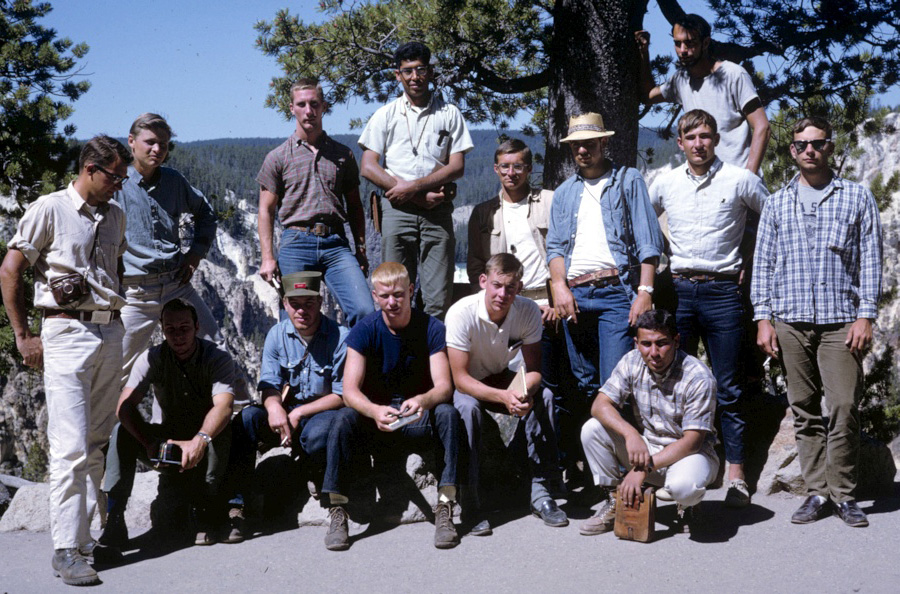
<point>196,63</point>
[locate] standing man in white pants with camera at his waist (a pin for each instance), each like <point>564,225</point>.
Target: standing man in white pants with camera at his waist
<point>75,239</point>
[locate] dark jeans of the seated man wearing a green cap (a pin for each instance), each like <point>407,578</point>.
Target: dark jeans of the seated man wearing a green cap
<point>252,428</point>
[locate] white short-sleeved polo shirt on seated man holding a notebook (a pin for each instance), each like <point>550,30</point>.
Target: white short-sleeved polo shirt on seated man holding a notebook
<point>470,329</point>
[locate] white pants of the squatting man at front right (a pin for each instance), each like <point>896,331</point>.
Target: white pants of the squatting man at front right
<point>686,480</point>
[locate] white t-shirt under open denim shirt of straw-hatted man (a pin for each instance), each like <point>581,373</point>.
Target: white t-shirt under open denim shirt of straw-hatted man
<point>591,251</point>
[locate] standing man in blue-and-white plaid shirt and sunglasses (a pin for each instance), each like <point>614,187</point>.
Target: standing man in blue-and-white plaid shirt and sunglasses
<point>816,285</point>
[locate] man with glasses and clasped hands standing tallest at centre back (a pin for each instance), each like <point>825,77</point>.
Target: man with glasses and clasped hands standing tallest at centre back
<point>414,147</point>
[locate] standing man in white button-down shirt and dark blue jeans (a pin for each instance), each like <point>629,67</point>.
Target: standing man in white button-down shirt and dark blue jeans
<point>707,203</point>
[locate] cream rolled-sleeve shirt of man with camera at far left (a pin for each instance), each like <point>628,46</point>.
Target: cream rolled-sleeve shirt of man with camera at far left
<point>59,235</point>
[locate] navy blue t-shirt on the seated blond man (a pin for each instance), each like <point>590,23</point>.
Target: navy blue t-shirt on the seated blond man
<point>397,365</point>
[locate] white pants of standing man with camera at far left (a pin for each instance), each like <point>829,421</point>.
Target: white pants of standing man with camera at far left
<point>82,369</point>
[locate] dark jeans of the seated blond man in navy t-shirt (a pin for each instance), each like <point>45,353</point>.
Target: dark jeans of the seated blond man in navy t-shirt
<point>351,433</point>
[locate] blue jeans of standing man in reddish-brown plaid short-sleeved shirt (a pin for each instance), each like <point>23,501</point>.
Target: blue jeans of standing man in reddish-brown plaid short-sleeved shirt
<point>301,251</point>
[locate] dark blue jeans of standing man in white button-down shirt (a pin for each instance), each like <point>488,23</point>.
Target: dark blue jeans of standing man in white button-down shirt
<point>712,311</point>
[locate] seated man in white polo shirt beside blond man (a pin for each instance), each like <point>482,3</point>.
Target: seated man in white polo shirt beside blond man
<point>490,335</point>
